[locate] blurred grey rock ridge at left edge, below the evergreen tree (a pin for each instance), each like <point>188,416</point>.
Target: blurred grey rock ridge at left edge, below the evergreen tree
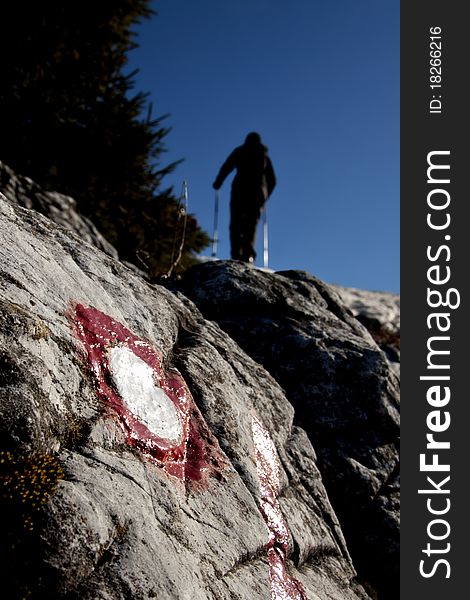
<point>59,208</point>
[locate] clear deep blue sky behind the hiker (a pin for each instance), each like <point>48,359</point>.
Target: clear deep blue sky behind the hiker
<point>319,80</point>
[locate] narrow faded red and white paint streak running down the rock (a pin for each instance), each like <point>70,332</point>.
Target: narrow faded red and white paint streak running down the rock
<point>283,587</point>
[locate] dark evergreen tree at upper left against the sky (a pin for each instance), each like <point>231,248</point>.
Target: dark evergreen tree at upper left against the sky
<point>69,120</point>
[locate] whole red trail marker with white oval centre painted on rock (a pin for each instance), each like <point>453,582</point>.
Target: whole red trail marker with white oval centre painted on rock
<point>154,405</point>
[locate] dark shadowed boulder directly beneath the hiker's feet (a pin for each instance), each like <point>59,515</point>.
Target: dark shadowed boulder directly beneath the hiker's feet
<point>343,389</point>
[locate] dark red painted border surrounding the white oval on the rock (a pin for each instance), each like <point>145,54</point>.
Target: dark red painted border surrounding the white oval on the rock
<point>191,456</point>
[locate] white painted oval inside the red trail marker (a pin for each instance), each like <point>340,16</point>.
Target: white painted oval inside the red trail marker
<point>134,380</point>
